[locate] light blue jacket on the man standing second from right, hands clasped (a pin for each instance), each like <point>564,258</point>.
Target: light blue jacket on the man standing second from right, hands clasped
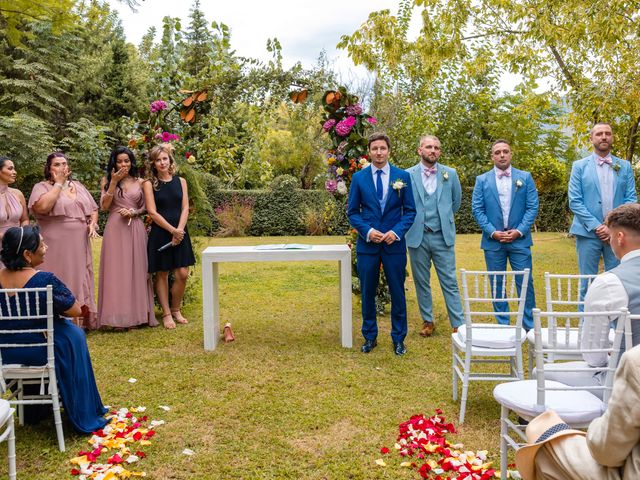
<point>487,212</point>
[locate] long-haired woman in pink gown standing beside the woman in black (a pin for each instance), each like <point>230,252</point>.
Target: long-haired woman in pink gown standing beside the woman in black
<point>125,295</point>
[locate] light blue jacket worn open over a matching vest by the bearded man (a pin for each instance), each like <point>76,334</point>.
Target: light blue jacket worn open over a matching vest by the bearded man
<point>448,193</point>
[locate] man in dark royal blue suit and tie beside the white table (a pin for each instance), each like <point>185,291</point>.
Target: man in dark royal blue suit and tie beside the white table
<point>381,209</point>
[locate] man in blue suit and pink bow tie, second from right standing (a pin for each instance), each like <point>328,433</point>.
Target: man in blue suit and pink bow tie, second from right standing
<point>505,205</point>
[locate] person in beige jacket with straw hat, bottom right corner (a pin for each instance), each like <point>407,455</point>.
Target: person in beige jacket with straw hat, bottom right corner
<point>610,449</point>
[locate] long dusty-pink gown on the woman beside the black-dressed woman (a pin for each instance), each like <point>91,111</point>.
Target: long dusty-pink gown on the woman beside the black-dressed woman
<point>125,295</point>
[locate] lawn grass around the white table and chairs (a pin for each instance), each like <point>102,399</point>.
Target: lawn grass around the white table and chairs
<point>285,400</point>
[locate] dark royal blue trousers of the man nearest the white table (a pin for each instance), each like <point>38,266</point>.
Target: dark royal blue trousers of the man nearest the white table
<point>369,272</point>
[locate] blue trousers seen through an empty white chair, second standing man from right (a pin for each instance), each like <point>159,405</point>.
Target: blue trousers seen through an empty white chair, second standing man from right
<point>519,259</point>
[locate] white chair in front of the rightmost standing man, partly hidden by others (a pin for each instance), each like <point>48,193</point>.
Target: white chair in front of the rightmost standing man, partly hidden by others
<point>562,293</point>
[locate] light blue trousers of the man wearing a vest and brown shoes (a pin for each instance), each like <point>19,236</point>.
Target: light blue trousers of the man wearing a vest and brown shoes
<point>434,249</point>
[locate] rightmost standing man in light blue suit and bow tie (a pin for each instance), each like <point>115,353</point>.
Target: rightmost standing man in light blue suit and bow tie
<point>598,184</point>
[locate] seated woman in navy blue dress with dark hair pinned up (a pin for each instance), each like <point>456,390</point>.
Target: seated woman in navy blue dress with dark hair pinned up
<point>23,249</point>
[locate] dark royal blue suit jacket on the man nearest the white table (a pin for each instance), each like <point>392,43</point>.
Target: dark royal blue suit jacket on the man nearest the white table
<point>364,210</point>
